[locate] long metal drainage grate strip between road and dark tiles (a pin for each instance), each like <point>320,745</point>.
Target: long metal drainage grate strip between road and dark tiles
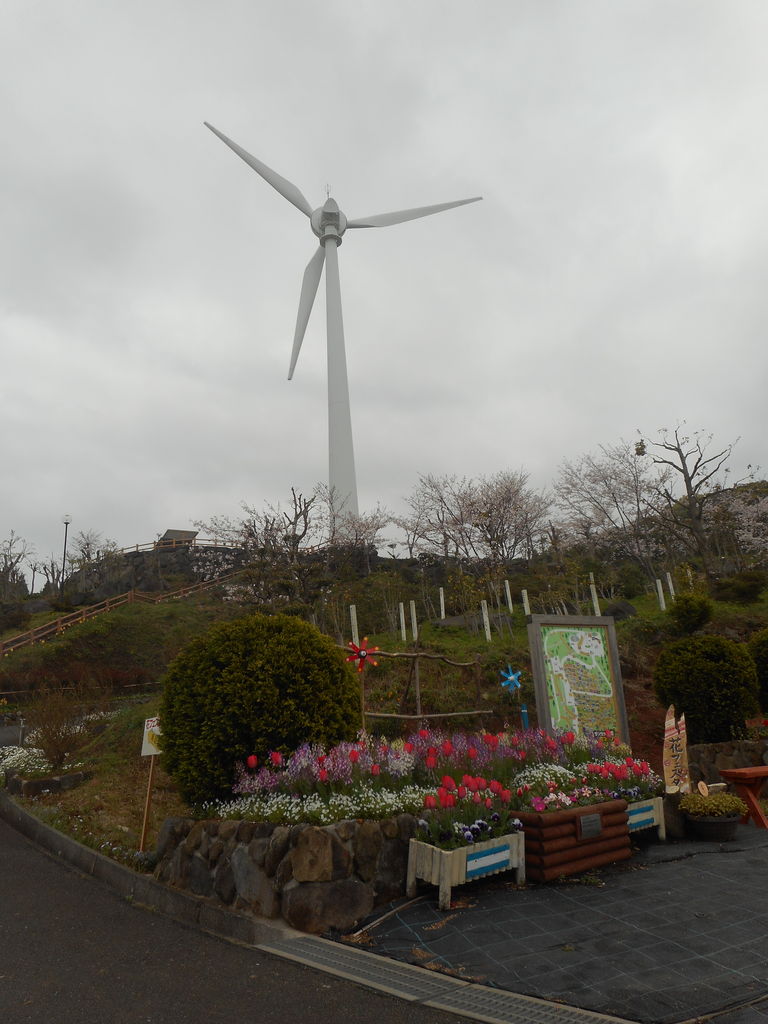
<point>441,992</point>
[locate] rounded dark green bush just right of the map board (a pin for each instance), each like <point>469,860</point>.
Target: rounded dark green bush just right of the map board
<point>711,680</point>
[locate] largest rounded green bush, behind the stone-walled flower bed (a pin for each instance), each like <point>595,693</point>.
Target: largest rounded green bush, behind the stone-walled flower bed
<point>252,687</point>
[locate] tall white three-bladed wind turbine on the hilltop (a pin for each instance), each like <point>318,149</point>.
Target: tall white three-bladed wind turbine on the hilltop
<point>329,224</point>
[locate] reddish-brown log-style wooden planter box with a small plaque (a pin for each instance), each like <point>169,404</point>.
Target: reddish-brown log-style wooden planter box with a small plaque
<point>580,839</point>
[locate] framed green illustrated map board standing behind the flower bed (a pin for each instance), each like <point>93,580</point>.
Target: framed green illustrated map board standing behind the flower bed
<point>577,675</point>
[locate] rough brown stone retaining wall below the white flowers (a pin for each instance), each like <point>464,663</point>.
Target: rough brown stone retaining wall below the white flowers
<point>315,878</point>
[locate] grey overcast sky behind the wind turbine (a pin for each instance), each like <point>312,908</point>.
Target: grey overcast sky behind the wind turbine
<point>614,277</point>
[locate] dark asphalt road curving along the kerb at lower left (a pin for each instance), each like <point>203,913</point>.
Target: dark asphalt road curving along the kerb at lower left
<point>72,952</point>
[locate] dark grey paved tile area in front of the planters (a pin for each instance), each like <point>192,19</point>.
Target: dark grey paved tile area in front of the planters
<point>678,932</point>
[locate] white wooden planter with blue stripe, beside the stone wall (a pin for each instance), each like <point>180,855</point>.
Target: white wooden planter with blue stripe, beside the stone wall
<point>454,868</point>
